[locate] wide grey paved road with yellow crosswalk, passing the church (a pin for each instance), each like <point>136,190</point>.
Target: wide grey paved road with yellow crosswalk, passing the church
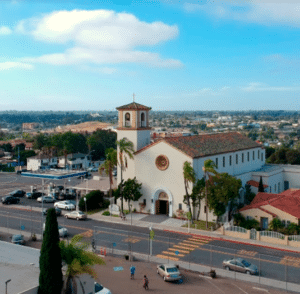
<point>167,245</point>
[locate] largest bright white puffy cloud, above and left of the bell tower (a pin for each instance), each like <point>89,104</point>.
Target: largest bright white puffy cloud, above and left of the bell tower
<point>100,37</point>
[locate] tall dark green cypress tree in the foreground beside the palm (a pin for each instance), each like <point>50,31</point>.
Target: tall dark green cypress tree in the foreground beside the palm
<point>51,279</point>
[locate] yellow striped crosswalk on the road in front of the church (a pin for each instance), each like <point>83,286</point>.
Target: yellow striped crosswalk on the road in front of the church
<point>185,247</point>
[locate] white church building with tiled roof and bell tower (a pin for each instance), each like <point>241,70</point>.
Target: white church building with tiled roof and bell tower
<point>159,165</point>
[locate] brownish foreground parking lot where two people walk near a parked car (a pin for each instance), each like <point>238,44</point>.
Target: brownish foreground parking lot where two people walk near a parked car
<point>116,277</point>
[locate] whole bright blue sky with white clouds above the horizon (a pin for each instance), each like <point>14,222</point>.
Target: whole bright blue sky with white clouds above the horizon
<point>174,55</point>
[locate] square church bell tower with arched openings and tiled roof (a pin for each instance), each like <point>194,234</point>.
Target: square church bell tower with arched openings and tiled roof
<point>134,124</point>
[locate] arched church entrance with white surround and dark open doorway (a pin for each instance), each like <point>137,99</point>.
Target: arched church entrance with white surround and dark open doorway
<point>162,202</point>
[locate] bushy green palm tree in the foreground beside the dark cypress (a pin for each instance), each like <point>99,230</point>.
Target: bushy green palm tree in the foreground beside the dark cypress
<point>78,261</point>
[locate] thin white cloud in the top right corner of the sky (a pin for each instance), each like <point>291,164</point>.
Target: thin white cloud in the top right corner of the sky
<point>257,11</point>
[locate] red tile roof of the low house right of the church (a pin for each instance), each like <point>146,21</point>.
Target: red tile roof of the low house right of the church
<point>284,202</point>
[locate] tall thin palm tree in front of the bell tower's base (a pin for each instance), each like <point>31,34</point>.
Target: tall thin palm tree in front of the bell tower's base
<point>125,148</point>
